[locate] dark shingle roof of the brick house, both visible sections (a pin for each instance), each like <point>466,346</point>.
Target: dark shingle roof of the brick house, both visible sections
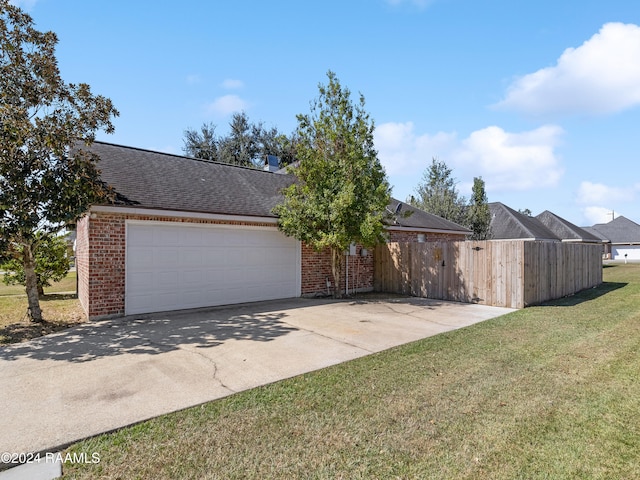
<point>154,180</point>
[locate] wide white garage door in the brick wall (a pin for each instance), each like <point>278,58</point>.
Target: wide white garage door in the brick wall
<point>177,266</point>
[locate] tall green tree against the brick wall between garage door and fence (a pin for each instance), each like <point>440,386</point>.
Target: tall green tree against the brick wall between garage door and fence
<point>342,191</point>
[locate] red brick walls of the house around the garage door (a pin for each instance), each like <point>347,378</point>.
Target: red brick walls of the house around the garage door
<point>101,260</point>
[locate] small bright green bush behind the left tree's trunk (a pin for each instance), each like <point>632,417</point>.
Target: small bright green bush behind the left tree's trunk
<point>51,262</point>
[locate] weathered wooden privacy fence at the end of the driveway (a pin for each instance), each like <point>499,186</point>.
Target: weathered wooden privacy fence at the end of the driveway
<point>511,273</point>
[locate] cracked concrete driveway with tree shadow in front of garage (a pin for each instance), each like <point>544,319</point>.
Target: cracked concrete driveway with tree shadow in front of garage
<point>104,375</point>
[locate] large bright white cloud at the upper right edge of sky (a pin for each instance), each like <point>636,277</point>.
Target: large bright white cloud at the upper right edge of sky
<point>600,76</point>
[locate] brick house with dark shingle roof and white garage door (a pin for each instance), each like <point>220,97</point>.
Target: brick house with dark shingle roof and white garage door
<point>186,233</point>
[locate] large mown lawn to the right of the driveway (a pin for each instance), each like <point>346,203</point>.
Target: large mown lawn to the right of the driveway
<point>548,392</point>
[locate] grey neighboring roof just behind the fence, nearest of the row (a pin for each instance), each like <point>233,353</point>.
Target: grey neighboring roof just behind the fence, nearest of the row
<point>507,224</point>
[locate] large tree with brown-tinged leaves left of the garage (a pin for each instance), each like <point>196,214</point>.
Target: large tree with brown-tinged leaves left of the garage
<point>47,178</point>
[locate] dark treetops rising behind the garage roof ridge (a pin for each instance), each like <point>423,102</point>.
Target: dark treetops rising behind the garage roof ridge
<point>247,143</point>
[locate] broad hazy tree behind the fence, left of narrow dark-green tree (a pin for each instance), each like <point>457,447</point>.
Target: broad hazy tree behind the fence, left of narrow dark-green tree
<point>437,194</point>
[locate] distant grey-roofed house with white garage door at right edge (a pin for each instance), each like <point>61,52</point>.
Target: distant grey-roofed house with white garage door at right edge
<point>623,237</point>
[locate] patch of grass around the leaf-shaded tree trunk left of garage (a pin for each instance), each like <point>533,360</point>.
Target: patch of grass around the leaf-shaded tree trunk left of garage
<point>60,308</point>
